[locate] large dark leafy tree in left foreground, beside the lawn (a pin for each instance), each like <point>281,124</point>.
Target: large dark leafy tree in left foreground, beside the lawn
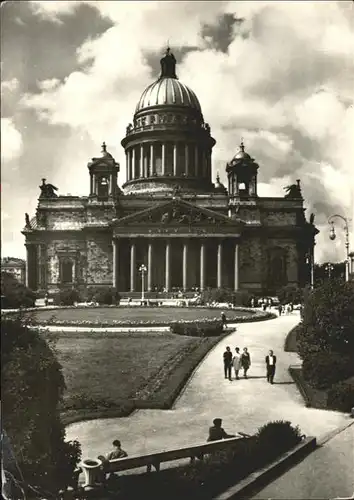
<point>32,387</point>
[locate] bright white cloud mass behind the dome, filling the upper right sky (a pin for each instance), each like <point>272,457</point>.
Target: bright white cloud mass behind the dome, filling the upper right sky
<point>285,83</point>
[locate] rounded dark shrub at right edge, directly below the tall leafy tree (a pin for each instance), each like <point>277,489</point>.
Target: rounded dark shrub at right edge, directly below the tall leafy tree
<point>322,369</point>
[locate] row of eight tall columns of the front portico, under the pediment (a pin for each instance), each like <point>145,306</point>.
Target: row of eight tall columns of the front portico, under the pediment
<point>168,265</point>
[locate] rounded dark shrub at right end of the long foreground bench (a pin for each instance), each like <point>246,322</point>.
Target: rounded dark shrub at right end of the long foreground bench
<point>276,438</point>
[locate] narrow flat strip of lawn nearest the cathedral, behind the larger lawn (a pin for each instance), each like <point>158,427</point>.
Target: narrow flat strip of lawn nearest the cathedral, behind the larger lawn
<point>155,314</point>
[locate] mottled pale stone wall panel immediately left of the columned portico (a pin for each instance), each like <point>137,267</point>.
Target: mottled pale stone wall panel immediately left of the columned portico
<point>100,260</point>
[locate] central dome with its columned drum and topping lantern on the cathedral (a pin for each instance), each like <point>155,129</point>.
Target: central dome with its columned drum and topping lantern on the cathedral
<point>168,144</point>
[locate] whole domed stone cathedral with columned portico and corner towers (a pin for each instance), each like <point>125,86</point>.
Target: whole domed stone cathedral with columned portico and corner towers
<point>169,223</point>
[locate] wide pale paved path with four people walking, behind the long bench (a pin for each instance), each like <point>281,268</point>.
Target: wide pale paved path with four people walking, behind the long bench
<point>244,405</point>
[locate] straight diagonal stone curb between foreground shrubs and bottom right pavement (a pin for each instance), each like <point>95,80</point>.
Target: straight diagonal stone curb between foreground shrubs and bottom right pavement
<point>258,479</point>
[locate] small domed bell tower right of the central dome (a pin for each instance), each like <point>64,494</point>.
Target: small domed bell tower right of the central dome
<point>242,175</point>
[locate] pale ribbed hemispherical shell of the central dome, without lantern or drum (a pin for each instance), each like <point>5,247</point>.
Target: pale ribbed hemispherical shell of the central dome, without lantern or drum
<point>168,91</point>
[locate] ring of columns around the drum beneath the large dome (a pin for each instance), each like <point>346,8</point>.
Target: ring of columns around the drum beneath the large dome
<point>148,162</point>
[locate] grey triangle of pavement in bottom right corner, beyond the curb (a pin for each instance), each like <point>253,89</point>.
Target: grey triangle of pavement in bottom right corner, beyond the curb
<point>327,473</point>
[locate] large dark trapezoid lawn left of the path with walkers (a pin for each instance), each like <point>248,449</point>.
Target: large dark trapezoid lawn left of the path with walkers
<point>111,374</point>
